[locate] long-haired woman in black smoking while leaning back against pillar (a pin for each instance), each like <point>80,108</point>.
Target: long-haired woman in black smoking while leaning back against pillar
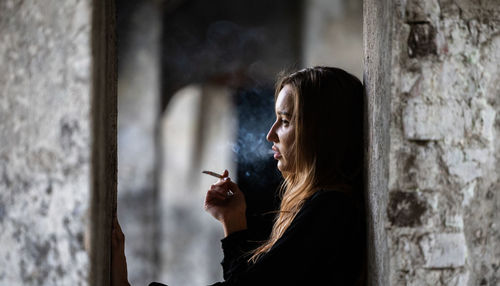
<point>318,237</point>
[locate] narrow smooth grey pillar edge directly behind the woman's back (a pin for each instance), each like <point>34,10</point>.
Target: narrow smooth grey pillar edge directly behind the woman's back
<point>377,33</point>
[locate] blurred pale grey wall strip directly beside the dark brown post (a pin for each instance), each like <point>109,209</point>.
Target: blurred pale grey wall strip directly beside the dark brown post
<point>139,65</point>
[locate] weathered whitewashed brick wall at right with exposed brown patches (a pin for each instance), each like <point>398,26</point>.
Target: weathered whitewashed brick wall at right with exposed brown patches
<point>443,214</point>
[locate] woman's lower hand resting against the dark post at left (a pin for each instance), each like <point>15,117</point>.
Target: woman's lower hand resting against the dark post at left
<point>119,276</point>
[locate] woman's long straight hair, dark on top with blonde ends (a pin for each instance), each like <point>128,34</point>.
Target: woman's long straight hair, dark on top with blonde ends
<point>327,117</point>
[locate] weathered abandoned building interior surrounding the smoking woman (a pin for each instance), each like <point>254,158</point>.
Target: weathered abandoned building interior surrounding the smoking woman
<point>119,105</point>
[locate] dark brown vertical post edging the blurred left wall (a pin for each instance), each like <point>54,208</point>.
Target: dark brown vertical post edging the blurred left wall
<point>104,123</point>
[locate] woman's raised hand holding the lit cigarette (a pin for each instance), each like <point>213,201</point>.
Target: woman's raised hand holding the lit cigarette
<point>226,203</point>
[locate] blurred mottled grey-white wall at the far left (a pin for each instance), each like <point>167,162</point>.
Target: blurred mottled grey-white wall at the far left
<point>44,141</point>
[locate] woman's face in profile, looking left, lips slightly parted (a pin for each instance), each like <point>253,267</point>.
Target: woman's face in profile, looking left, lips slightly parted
<point>282,133</point>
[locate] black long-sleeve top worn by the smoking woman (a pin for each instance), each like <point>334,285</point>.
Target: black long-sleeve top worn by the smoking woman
<point>324,245</point>
